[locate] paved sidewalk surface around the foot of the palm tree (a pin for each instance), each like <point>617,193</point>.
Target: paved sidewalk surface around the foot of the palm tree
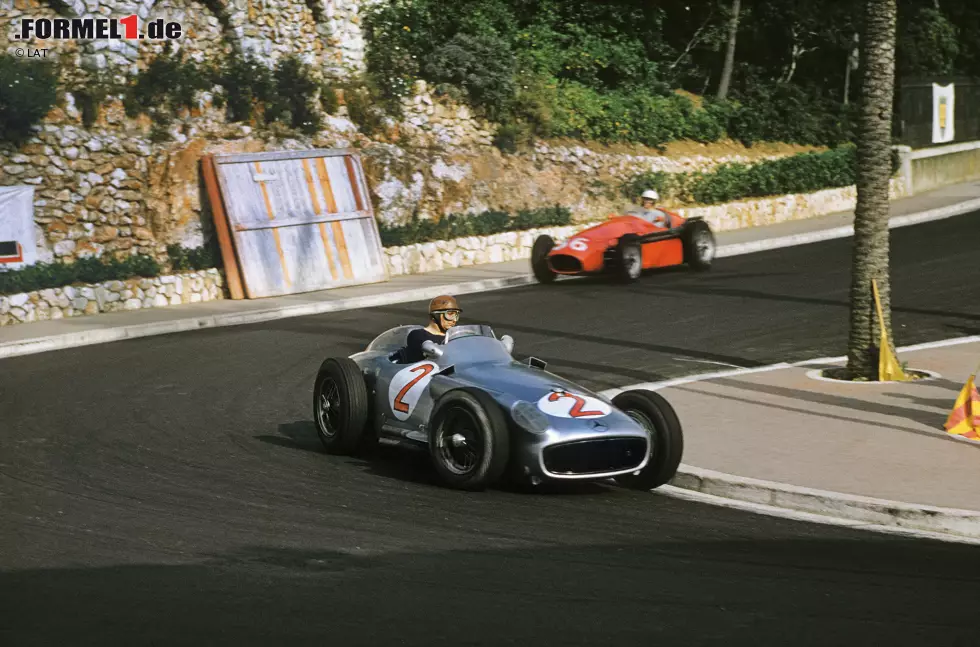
<point>879,440</point>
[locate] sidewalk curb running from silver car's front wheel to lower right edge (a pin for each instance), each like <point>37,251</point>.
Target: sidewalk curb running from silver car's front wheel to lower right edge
<point>866,510</point>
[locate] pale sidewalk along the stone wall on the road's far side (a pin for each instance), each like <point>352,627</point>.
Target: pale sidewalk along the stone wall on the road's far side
<point>23,339</point>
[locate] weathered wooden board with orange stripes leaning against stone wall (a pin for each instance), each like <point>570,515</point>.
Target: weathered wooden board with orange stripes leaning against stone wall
<point>300,221</point>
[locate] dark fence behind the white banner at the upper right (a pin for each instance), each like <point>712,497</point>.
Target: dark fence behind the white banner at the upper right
<point>914,110</point>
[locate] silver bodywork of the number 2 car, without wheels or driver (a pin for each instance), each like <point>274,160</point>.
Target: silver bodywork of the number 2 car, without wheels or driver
<point>547,441</point>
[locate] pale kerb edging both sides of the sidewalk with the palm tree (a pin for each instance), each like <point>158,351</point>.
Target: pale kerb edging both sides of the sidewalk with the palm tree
<point>821,506</point>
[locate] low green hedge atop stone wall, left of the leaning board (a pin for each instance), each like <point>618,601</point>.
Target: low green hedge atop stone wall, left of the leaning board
<point>42,276</point>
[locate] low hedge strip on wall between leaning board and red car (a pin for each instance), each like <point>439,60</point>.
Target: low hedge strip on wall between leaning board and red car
<point>483,224</point>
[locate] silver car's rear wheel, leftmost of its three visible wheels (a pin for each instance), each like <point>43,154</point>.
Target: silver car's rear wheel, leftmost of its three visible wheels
<point>340,405</point>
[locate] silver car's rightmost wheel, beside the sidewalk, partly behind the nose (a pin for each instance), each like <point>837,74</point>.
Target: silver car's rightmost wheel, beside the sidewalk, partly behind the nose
<point>652,411</point>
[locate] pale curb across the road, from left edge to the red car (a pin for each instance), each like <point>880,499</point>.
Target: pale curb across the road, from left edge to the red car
<point>105,335</point>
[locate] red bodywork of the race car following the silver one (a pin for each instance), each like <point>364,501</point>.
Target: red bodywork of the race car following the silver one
<point>585,251</point>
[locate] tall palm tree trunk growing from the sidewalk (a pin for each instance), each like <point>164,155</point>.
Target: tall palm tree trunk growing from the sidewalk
<point>871,242</point>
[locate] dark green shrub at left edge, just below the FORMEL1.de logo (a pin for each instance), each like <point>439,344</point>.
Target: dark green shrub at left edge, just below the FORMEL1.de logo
<point>28,91</point>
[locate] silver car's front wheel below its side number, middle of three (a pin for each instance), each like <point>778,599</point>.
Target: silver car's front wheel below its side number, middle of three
<point>468,440</point>
